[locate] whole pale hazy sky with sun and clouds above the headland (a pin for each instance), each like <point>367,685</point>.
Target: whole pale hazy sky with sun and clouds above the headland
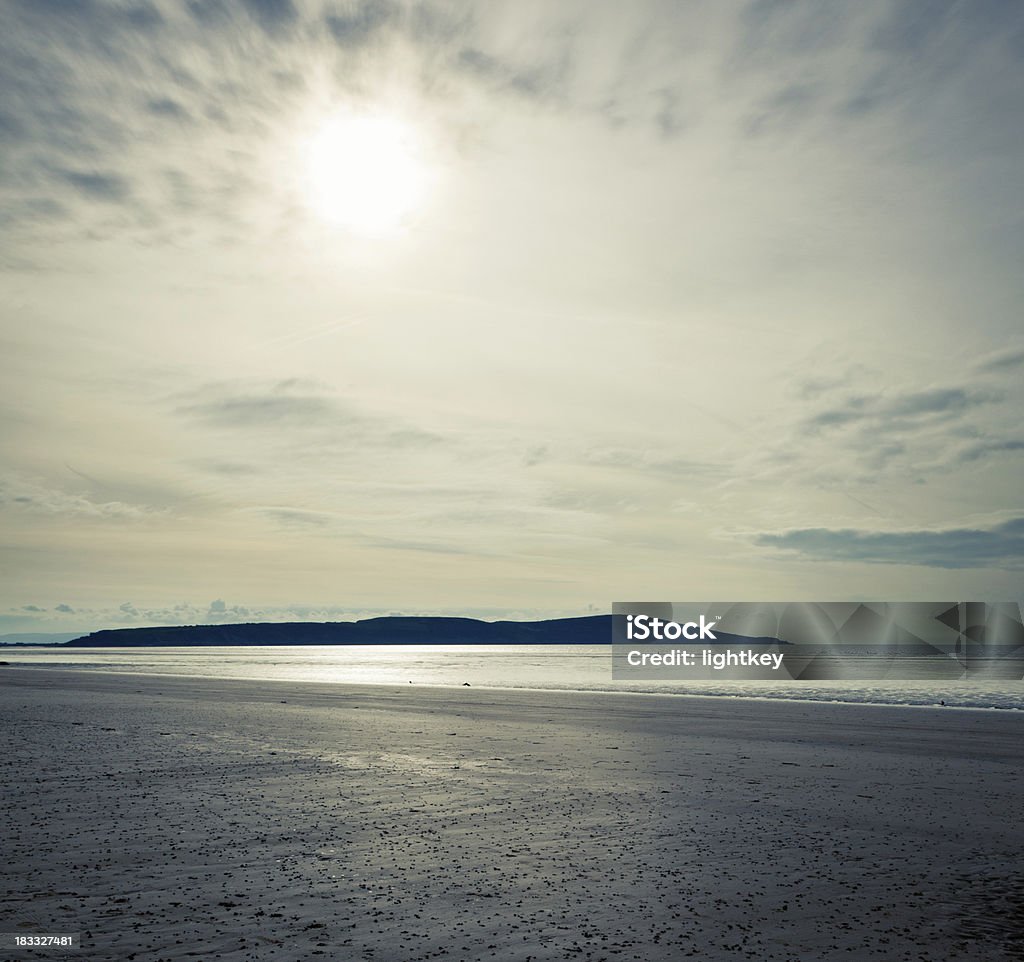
<point>318,310</point>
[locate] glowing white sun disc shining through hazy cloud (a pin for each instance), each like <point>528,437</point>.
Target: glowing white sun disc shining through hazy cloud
<point>366,174</point>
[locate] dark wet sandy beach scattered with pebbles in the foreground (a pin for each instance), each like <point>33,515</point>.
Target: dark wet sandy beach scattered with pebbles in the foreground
<point>173,819</point>
